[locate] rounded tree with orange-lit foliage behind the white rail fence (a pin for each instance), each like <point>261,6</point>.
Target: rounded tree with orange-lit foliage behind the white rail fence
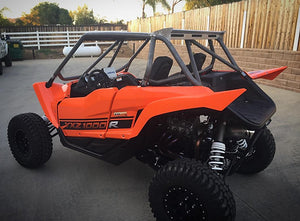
<point>46,13</point>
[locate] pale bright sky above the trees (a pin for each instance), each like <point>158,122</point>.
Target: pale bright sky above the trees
<point>112,10</point>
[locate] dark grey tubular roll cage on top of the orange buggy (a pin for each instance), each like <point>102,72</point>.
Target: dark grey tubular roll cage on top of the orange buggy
<point>164,35</point>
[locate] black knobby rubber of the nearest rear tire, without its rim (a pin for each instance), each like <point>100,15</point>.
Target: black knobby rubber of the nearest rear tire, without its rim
<point>189,173</point>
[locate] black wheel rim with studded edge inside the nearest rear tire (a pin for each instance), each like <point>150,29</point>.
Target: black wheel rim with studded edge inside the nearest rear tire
<point>183,204</point>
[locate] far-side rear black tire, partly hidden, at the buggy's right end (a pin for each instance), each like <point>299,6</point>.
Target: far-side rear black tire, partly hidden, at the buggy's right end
<point>263,155</point>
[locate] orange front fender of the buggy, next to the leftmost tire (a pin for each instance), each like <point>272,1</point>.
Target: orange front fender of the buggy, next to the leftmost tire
<point>50,97</point>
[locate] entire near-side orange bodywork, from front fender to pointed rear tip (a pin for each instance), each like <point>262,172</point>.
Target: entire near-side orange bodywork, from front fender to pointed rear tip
<point>113,113</point>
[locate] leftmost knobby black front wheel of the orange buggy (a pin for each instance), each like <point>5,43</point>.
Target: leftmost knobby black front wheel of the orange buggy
<point>29,140</point>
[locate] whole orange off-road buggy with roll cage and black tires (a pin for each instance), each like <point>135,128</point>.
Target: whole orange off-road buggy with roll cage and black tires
<point>194,126</point>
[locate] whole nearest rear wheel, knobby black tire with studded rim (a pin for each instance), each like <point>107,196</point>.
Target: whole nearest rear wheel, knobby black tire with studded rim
<point>186,190</point>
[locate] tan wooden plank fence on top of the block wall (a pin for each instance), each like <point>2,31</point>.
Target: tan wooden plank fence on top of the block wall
<point>261,24</point>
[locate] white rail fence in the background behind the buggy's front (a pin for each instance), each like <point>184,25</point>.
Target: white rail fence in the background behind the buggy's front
<point>48,39</point>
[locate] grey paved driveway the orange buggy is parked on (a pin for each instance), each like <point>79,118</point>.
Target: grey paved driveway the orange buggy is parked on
<point>73,186</point>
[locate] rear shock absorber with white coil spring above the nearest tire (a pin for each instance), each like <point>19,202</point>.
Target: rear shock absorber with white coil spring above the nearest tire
<point>218,148</point>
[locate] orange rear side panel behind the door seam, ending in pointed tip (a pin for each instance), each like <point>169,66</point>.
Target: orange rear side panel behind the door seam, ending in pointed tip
<point>168,99</point>
